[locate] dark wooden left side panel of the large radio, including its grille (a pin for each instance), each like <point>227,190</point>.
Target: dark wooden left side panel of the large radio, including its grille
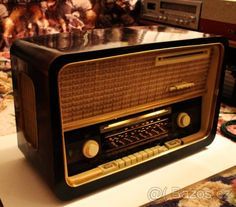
<point>33,116</point>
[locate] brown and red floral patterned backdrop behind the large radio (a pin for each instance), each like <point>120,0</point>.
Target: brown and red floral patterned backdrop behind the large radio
<point>25,18</point>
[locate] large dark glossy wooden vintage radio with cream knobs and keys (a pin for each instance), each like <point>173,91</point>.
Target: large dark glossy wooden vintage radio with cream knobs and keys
<point>95,107</point>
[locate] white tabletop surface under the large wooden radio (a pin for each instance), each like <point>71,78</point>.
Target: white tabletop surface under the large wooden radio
<point>20,185</point>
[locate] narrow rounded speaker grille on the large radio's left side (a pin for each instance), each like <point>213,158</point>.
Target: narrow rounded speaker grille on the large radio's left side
<point>29,110</point>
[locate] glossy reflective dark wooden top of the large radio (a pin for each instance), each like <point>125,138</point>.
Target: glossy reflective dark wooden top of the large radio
<point>111,38</point>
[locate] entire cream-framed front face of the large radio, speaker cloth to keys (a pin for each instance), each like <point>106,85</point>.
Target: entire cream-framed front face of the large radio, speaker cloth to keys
<point>116,109</point>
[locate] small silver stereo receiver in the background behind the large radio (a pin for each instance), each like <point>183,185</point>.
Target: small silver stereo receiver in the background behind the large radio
<point>182,13</point>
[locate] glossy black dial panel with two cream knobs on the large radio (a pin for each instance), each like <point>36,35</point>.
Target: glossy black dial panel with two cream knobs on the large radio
<point>156,127</point>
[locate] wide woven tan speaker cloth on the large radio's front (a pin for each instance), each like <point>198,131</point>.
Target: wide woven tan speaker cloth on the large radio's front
<point>106,85</point>
